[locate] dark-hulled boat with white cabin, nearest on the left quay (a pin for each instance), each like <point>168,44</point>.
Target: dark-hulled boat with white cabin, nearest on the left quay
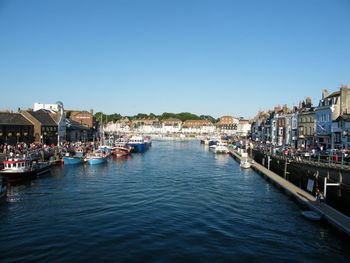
<point>22,167</point>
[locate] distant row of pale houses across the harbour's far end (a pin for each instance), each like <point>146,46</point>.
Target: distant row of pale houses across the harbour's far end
<point>228,125</point>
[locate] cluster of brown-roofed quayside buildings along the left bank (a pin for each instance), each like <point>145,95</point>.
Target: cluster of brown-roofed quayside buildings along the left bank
<point>47,124</point>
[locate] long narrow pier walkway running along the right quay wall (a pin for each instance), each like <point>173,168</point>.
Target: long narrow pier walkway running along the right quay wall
<point>334,217</point>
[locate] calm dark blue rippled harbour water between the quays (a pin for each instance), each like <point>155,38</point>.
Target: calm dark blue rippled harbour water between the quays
<point>178,202</point>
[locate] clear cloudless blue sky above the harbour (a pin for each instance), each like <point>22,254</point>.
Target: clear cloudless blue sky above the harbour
<point>206,57</point>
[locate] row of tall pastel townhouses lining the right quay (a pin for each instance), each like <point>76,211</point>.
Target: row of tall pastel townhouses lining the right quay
<point>326,125</point>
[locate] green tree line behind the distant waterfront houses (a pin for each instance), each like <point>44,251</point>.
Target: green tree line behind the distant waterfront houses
<point>183,116</point>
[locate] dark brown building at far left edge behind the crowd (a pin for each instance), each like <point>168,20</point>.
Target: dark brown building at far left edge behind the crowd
<point>14,128</point>
